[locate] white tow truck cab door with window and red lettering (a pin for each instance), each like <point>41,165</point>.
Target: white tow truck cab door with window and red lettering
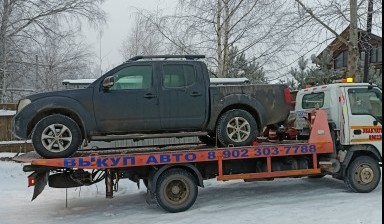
<point>363,116</point>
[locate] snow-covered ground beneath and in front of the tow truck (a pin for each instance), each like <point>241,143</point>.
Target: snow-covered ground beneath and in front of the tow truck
<point>287,201</point>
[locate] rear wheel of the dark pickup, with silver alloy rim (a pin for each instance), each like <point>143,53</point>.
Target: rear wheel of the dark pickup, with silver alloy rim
<point>236,127</point>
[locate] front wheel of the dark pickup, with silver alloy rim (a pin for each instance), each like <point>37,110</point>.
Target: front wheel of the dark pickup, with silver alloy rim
<point>56,136</point>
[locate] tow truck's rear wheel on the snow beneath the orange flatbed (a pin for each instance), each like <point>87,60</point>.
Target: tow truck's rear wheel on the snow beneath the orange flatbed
<point>176,190</point>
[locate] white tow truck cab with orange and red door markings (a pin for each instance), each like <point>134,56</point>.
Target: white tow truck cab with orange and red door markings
<point>354,112</point>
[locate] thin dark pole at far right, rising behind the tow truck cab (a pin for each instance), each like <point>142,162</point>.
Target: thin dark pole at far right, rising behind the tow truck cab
<point>366,41</point>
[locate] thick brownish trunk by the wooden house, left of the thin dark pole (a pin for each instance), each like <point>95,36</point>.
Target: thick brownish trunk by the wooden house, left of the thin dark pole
<point>353,47</point>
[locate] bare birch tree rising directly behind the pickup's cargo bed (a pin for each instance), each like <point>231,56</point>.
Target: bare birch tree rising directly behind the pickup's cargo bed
<point>253,26</point>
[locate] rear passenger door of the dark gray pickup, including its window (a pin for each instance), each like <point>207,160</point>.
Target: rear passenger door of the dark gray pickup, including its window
<point>183,96</point>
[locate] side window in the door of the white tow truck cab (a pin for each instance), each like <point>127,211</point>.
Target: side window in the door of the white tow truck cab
<point>365,101</point>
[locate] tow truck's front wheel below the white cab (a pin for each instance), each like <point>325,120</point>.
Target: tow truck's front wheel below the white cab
<point>363,174</point>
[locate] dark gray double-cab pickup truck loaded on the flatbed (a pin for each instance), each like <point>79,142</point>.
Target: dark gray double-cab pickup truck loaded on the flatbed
<point>150,97</point>
